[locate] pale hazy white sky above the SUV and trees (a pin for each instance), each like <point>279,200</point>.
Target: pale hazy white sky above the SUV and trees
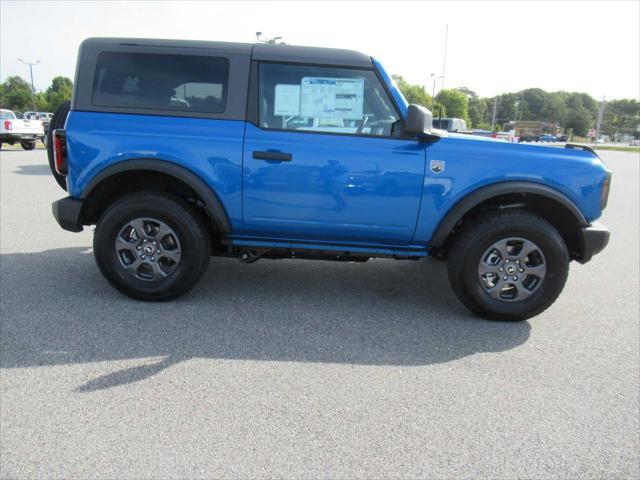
<point>493,47</point>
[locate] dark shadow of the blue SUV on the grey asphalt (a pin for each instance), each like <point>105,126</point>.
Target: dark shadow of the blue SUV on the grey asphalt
<point>57,309</point>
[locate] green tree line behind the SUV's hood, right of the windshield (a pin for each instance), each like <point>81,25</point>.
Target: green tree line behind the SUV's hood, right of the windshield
<point>575,112</point>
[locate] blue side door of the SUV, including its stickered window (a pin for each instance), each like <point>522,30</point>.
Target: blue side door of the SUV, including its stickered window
<point>323,163</point>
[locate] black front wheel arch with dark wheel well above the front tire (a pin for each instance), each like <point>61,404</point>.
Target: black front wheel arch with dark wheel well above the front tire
<point>542,200</point>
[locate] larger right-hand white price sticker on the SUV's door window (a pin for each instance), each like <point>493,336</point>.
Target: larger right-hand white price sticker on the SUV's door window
<point>332,97</point>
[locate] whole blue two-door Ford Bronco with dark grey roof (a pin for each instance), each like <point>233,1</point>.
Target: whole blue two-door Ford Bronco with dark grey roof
<point>180,150</point>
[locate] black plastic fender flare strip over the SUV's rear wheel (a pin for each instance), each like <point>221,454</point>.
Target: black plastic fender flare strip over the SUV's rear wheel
<point>213,206</point>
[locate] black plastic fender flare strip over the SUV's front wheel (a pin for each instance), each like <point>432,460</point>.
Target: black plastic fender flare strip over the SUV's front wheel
<point>455,213</point>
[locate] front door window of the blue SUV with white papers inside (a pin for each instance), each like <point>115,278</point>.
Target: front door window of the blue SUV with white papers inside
<point>324,99</point>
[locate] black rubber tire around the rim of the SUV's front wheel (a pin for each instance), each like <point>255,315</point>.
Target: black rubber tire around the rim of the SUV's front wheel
<point>478,235</point>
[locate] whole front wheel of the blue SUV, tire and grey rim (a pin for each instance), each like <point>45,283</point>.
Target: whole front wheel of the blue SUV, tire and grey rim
<point>508,265</point>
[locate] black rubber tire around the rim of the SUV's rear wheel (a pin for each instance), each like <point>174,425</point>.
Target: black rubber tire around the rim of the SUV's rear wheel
<point>187,223</point>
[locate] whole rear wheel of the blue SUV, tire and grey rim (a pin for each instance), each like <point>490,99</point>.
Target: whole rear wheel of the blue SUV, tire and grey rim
<point>152,246</point>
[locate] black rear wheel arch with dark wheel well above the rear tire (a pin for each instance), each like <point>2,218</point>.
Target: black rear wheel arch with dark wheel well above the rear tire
<point>184,179</point>
